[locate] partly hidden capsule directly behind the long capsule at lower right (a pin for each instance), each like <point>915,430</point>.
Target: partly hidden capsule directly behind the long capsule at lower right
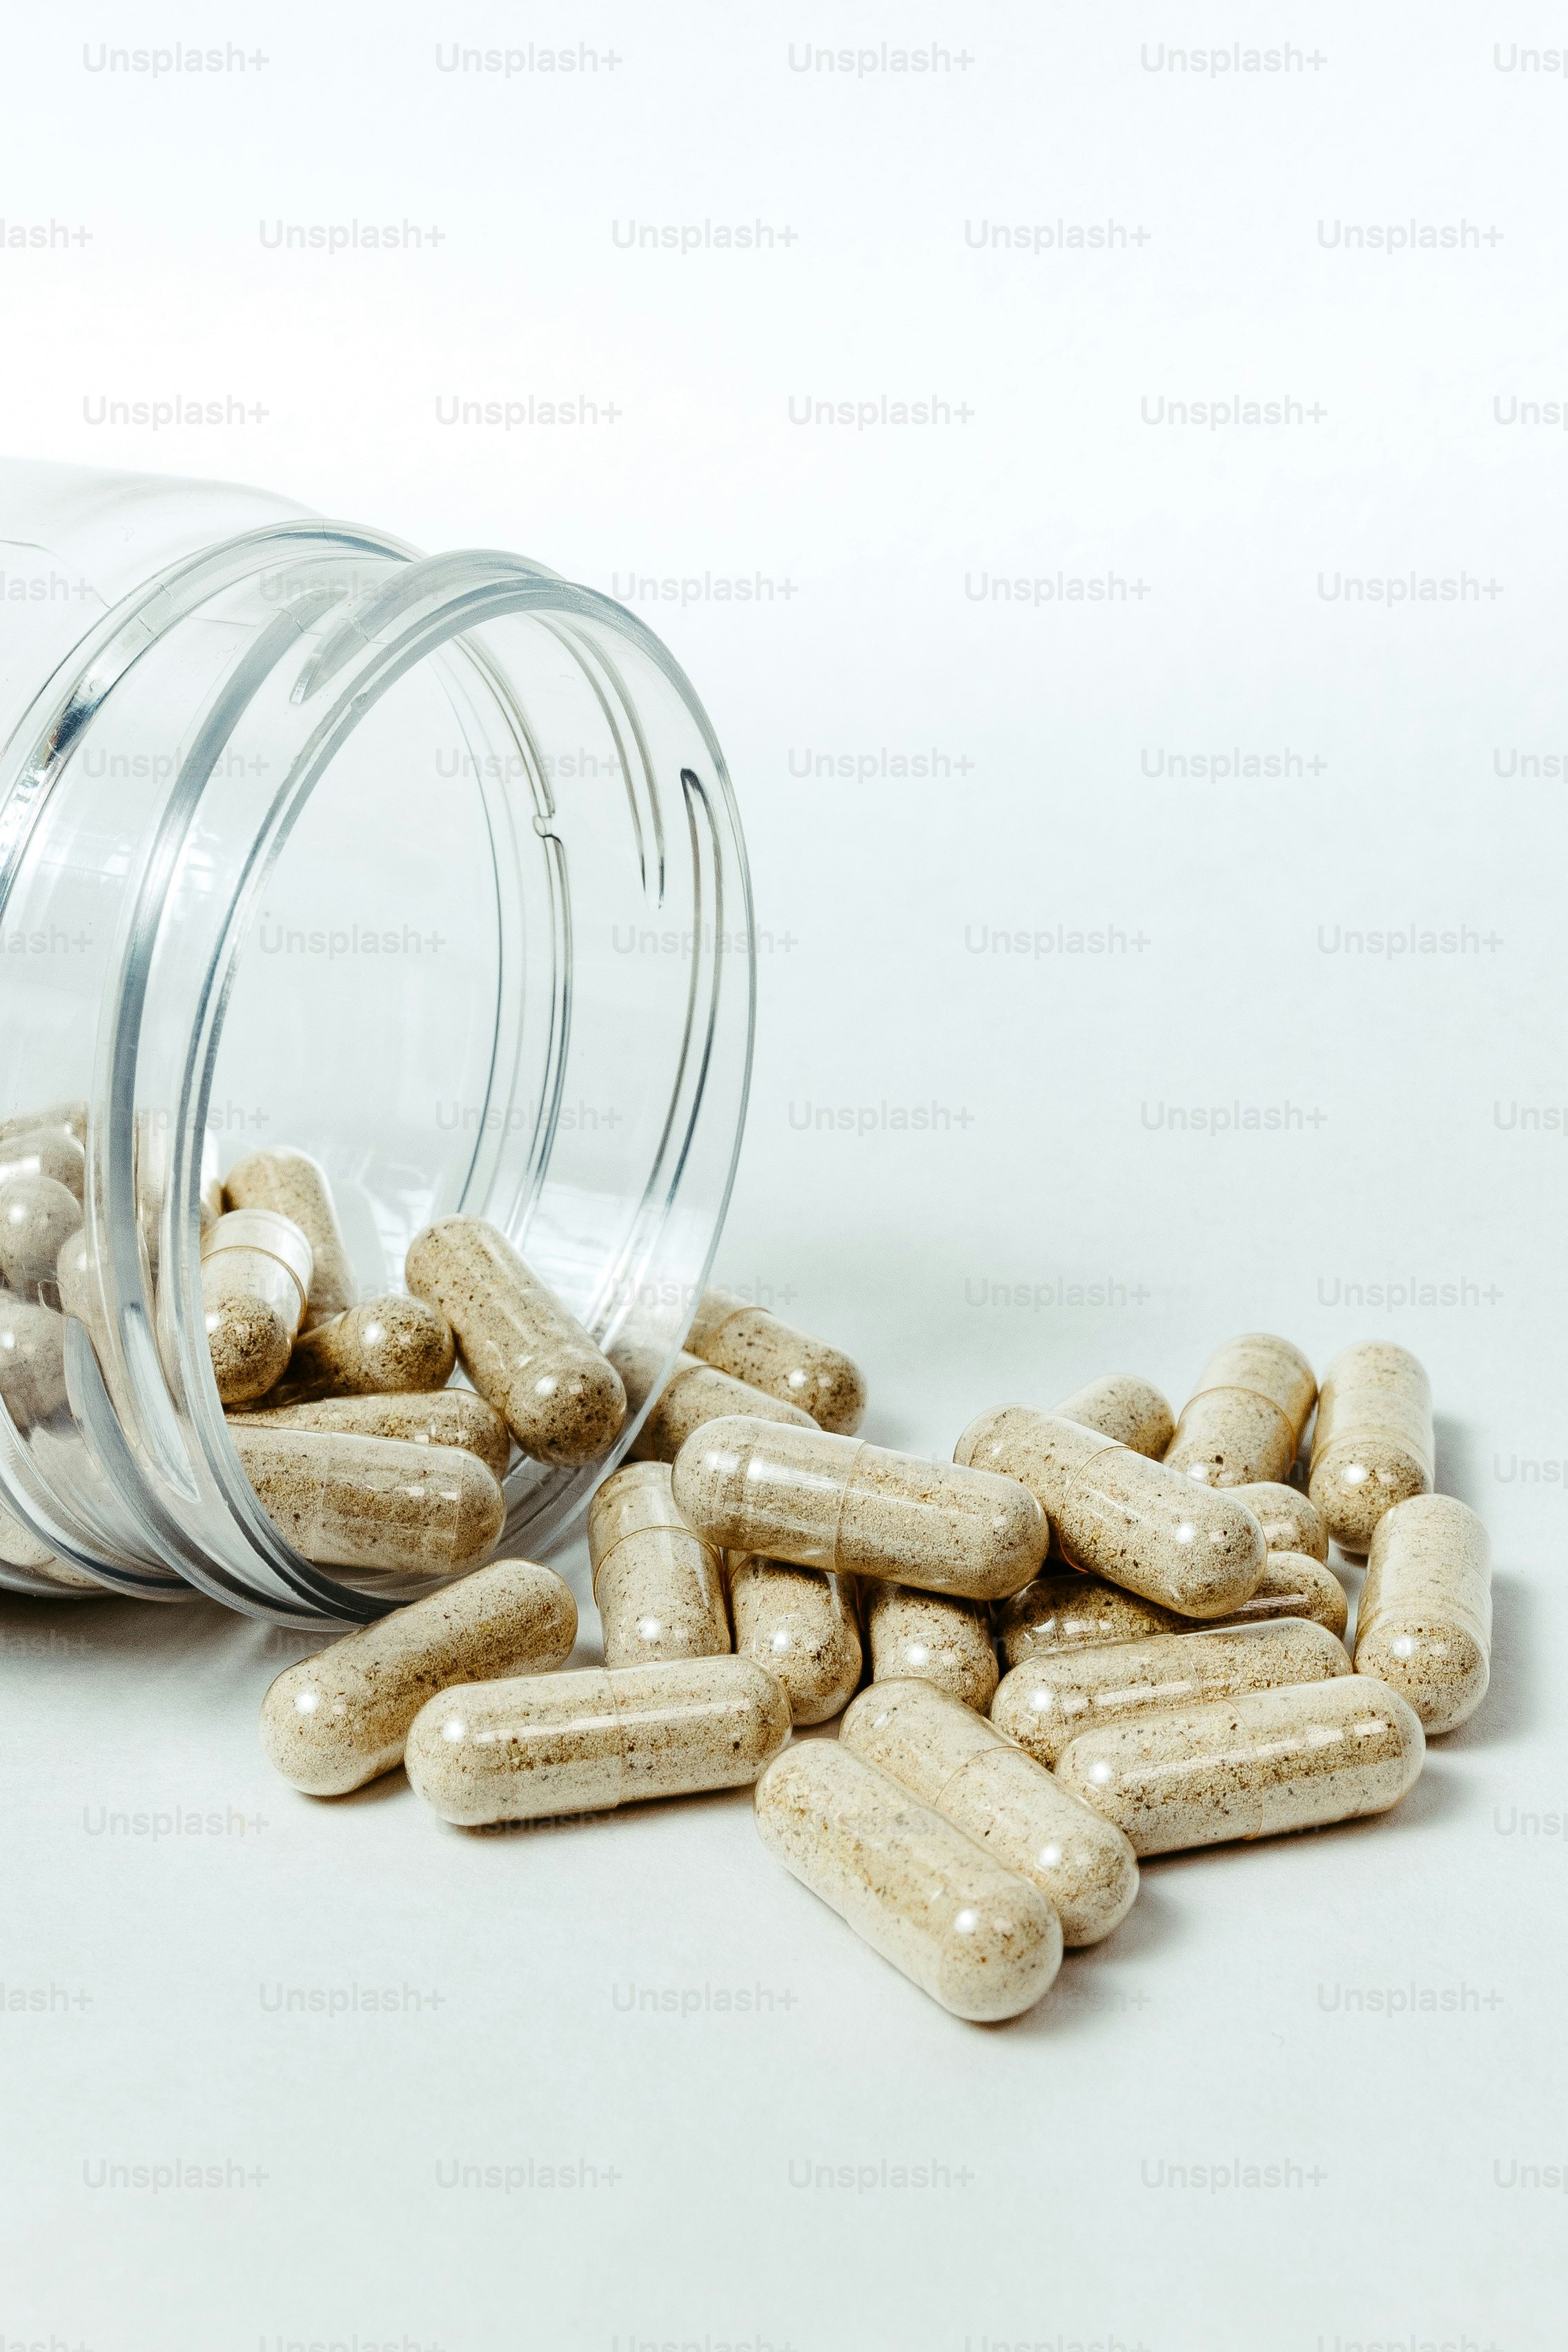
<point>1047,1702</point>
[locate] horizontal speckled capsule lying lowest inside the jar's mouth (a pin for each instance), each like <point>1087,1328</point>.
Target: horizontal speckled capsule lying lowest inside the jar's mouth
<point>370,1502</point>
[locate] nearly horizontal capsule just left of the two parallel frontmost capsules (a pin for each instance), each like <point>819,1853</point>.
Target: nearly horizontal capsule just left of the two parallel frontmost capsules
<point>591,1742</point>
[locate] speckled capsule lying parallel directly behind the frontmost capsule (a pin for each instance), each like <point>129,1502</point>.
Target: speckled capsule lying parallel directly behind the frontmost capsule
<point>1003,1798</point>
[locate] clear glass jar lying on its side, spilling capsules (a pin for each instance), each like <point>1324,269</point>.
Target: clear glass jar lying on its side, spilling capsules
<point>422,864</point>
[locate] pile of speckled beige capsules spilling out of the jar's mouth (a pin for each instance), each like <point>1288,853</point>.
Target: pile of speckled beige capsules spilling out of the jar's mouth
<point>1160,1596</point>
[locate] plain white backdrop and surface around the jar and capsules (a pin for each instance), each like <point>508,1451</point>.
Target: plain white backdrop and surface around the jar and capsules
<point>1052,1231</point>
